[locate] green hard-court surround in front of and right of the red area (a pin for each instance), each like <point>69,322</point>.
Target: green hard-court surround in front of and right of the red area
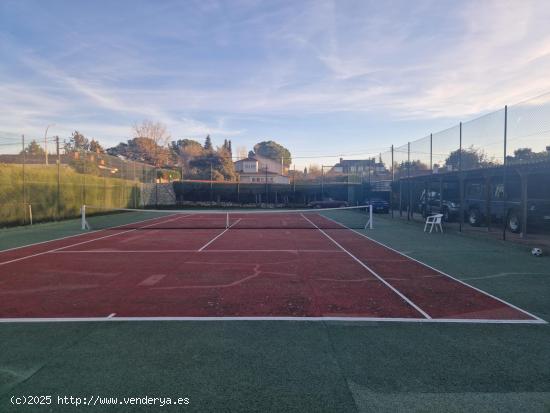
<point>307,366</point>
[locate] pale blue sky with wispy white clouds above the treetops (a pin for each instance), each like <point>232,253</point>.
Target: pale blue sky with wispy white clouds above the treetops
<point>324,78</point>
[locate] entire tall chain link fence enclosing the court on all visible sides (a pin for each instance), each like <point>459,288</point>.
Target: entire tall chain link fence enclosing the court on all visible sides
<point>489,174</point>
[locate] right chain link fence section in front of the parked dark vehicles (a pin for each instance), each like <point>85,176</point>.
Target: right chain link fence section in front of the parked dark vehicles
<point>490,174</point>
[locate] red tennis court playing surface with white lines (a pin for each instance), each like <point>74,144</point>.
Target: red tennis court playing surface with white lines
<point>285,273</point>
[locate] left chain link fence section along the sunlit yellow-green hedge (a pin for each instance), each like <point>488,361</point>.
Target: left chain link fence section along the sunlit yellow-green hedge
<point>42,181</point>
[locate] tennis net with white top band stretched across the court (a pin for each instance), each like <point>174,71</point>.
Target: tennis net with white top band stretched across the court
<point>96,218</point>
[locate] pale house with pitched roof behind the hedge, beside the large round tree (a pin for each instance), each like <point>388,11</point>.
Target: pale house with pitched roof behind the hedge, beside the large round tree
<point>257,169</point>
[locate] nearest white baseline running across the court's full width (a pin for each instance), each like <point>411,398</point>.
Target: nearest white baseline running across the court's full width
<point>112,318</point>
